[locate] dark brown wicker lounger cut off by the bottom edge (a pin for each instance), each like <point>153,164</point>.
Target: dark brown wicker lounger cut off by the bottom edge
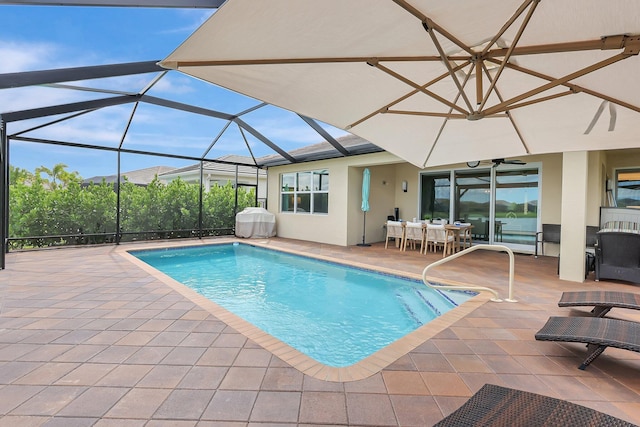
<point>494,405</point>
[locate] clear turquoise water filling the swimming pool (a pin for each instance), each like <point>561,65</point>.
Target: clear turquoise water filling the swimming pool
<point>334,314</point>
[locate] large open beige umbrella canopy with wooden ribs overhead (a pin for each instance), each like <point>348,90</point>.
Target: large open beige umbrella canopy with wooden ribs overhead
<point>436,82</point>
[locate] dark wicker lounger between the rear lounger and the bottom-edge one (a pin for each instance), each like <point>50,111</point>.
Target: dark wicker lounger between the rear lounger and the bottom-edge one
<point>597,332</point>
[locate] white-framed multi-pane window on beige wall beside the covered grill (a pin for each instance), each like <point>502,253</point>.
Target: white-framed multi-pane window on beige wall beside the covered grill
<point>305,192</point>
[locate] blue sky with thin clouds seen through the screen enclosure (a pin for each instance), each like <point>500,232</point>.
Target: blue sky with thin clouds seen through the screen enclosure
<point>36,38</point>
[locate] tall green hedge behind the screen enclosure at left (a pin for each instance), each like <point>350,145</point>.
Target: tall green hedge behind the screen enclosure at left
<point>61,211</point>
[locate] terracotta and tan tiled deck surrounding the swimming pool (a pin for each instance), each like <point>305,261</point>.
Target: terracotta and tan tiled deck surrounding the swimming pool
<point>88,337</point>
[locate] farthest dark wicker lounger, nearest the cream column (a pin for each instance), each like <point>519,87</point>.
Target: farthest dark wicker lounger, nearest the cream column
<point>602,301</point>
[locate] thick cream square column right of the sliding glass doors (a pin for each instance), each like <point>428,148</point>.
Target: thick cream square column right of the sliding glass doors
<point>575,174</point>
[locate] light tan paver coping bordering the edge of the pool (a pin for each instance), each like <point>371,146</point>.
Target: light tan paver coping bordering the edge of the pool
<point>358,371</point>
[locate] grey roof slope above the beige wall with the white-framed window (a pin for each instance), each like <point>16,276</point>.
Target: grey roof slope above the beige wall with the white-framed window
<point>323,150</point>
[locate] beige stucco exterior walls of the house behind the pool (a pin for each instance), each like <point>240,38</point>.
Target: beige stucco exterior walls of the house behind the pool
<point>343,225</point>
